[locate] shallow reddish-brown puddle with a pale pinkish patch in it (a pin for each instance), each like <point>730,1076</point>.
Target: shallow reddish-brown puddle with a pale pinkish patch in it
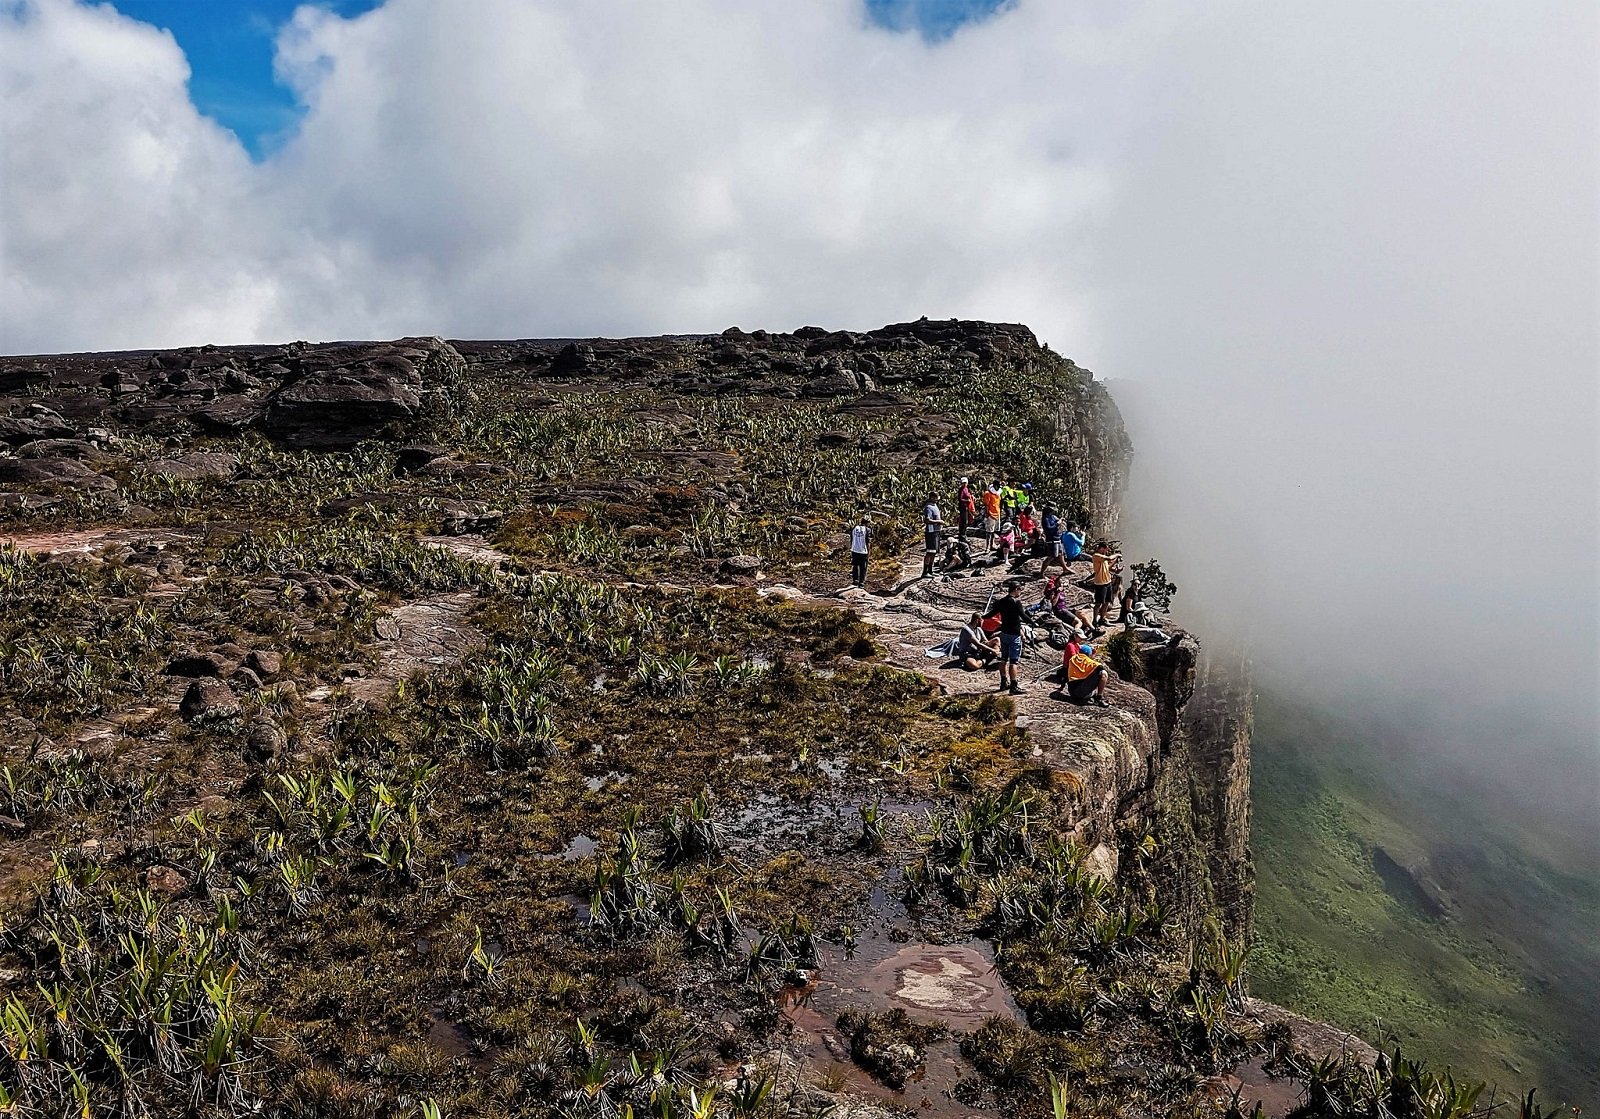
<point>951,985</point>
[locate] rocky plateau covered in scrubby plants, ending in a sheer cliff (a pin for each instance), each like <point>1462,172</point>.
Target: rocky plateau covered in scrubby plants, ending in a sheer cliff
<point>492,723</point>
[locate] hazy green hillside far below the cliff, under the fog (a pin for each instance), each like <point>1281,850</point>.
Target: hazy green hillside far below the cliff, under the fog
<point>1390,902</point>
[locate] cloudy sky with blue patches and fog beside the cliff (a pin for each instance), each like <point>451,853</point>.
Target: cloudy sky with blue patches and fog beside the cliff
<point>1340,262</point>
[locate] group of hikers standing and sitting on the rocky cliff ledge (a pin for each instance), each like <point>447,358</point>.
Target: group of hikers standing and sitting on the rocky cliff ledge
<point>1015,531</point>
